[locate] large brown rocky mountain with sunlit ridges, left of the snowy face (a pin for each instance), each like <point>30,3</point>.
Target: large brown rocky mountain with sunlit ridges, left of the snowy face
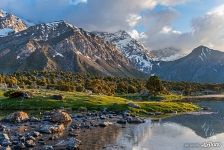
<point>61,46</point>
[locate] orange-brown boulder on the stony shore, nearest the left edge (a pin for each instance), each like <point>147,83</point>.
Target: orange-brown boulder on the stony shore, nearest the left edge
<point>17,117</point>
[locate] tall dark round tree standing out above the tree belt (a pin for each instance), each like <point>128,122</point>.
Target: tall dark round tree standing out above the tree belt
<point>154,85</point>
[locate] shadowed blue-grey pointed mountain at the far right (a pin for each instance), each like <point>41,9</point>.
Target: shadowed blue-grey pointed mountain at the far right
<point>201,65</point>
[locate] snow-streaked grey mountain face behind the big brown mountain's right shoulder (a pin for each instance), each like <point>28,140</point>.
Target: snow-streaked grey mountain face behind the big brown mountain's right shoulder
<point>130,48</point>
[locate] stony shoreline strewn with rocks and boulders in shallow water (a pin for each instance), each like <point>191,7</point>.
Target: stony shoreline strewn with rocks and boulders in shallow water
<point>57,129</point>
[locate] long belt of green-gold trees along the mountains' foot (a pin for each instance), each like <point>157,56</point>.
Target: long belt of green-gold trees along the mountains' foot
<point>67,81</point>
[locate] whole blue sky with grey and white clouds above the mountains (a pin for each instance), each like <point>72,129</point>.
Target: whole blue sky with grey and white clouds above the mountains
<point>183,24</point>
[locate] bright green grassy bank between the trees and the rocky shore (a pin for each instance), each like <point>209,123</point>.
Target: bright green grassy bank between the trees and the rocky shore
<point>74,100</point>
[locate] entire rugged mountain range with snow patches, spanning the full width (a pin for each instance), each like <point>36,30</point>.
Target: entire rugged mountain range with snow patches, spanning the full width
<point>62,46</point>
